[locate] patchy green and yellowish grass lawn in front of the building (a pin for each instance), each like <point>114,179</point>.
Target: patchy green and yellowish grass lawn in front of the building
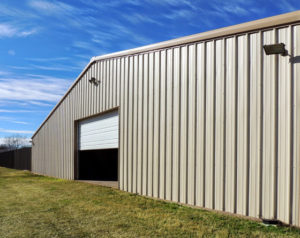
<point>38,206</point>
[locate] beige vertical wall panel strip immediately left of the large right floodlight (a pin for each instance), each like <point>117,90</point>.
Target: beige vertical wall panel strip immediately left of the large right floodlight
<point>255,130</point>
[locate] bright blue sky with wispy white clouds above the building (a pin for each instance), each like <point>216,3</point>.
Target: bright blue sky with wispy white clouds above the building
<point>44,45</point>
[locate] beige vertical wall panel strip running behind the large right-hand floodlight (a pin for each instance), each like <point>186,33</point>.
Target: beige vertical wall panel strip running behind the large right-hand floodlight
<point>269,164</point>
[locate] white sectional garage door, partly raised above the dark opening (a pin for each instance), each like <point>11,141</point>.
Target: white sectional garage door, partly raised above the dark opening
<point>101,132</point>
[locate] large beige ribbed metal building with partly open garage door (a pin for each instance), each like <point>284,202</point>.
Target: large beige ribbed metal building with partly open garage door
<point>208,120</point>
